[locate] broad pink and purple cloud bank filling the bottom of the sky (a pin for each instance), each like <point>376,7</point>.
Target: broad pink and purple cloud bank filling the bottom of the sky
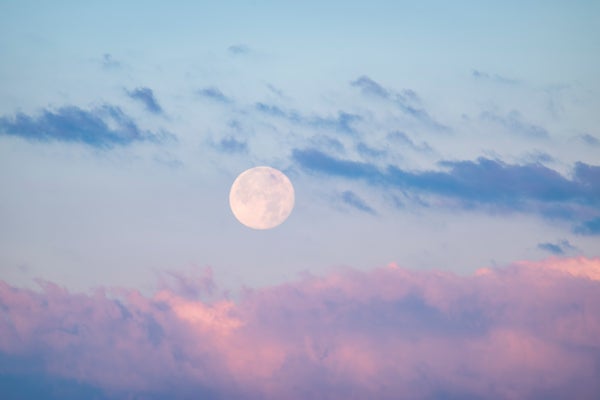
<point>524,331</point>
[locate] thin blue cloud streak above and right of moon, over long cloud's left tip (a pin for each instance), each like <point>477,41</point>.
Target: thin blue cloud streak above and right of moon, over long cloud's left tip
<point>342,122</point>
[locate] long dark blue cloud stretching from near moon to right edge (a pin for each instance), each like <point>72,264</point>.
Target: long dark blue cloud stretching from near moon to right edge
<point>484,182</point>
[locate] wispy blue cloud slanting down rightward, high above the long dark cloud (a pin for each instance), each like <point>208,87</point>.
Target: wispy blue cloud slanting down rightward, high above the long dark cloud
<point>407,100</point>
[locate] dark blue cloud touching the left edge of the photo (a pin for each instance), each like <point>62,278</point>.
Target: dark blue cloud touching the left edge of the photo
<point>101,127</point>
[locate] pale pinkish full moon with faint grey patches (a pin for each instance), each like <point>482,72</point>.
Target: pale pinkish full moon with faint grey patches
<point>261,197</point>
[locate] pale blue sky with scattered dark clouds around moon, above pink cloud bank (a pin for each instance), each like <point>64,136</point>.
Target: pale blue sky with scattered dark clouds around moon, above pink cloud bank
<point>379,84</point>
